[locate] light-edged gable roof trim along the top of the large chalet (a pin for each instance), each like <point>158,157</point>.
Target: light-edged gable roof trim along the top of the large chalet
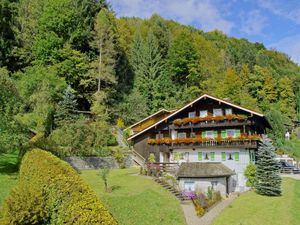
<point>193,102</point>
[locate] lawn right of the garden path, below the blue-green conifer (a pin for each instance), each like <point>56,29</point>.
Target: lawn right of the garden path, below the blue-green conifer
<point>251,208</point>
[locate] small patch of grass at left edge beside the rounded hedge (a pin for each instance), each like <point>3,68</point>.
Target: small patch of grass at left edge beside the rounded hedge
<point>8,174</point>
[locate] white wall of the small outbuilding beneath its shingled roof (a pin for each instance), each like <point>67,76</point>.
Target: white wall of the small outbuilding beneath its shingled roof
<point>202,184</point>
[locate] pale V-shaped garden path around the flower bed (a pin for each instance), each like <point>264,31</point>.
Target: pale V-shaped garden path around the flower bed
<point>190,213</point>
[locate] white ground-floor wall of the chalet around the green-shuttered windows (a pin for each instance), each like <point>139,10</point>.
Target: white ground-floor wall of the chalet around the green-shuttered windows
<point>236,182</point>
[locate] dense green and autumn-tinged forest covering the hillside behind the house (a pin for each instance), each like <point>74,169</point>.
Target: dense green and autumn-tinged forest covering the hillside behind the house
<point>70,70</point>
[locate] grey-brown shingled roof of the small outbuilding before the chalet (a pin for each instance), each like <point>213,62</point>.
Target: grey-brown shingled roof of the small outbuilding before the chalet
<point>202,170</point>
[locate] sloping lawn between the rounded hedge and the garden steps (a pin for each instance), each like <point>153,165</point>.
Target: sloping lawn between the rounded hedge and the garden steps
<point>136,199</point>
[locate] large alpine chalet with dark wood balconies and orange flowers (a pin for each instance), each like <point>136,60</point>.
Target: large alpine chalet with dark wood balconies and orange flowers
<point>211,139</point>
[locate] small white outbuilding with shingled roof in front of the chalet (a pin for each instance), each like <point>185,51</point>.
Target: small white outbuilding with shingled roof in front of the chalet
<point>197,176</point>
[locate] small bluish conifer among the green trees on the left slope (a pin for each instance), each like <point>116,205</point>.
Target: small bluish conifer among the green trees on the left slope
<point>66,107</point>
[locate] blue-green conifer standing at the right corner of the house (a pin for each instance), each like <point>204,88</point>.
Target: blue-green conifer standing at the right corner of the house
<point>267,173</point>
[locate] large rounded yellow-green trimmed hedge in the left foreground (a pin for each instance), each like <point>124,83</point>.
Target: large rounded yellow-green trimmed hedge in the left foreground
<point>51,192</point>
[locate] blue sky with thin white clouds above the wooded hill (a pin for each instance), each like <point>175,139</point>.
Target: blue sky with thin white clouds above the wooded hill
<point>275,23</point>
